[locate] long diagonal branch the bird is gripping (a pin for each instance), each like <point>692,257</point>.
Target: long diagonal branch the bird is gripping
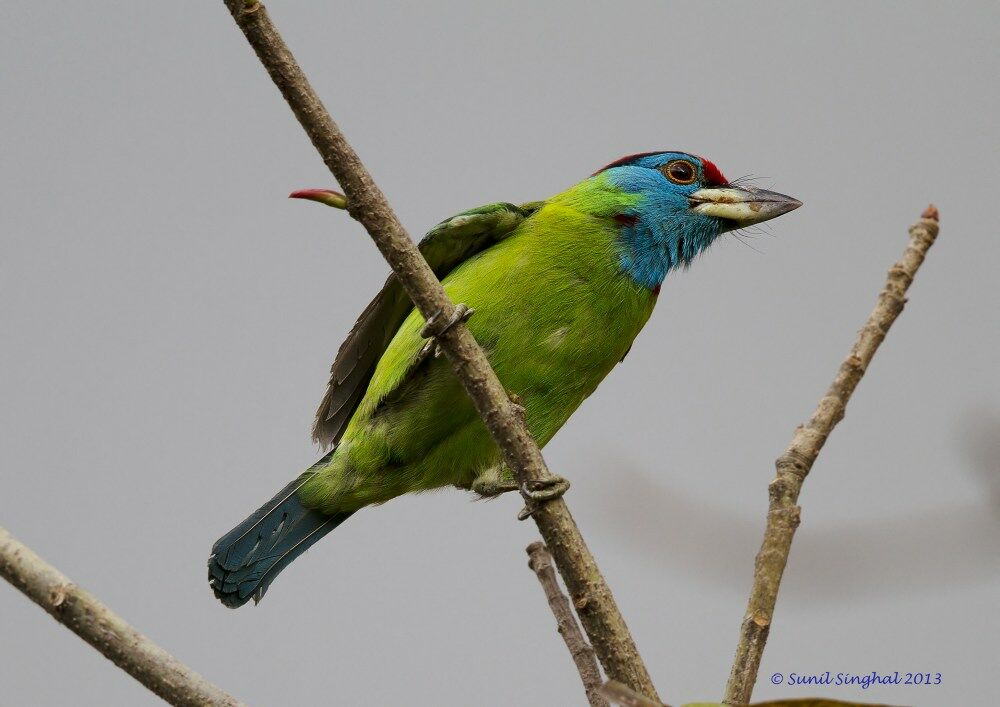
<point>365,202</point>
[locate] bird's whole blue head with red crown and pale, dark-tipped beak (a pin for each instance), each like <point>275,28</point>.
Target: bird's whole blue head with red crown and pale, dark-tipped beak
<point>673,205</point>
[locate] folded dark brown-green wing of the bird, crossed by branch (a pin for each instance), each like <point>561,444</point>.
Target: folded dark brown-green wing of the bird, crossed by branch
<point>444,247</point>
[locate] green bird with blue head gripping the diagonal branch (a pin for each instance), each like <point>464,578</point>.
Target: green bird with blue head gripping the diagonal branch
<point>560,289</point>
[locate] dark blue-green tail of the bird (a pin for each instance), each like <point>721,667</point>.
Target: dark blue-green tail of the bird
<point>246,560</point>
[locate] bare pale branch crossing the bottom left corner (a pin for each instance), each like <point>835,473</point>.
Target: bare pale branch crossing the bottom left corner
<point>95,623</point>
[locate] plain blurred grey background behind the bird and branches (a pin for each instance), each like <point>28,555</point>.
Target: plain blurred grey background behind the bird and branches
<point>168,318</point>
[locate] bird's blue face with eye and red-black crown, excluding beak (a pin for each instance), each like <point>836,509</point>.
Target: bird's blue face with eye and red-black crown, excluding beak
<point>666,232</point>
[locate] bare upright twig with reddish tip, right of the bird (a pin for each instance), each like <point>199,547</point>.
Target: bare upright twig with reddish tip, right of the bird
<point>793,466</point>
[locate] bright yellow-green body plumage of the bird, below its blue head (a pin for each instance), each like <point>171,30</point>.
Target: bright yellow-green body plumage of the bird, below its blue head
<point>554,313</point>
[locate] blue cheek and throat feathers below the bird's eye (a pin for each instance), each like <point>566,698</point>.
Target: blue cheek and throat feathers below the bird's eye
<point>659,233</point>
